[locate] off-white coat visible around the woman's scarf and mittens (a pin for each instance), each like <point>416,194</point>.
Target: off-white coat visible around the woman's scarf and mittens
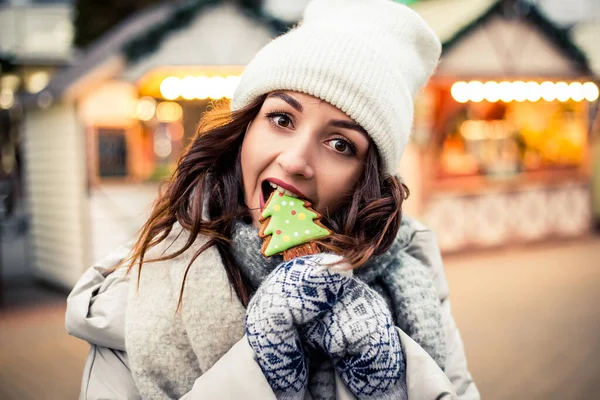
<point>96,314</point>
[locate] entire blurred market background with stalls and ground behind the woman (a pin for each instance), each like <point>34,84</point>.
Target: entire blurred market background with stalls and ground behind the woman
<point>98,99</point>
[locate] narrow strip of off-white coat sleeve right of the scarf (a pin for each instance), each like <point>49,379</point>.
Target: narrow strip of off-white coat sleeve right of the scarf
<point>423,246</point>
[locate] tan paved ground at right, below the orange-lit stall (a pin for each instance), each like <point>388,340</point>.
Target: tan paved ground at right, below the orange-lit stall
<point>530,320</point>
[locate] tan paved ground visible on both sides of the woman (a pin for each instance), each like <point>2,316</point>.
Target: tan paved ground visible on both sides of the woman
<point>529,318</point>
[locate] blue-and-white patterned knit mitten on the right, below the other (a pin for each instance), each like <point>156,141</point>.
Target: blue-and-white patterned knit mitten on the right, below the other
<point>359,335</point>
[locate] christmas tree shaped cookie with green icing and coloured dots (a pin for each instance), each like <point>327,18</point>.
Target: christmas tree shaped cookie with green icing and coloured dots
<point>290,226</point>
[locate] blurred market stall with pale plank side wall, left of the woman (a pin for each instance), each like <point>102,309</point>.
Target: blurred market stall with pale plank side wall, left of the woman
<point>107,129</point>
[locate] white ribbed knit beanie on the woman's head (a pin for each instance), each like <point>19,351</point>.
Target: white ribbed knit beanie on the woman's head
<point>369,58</point>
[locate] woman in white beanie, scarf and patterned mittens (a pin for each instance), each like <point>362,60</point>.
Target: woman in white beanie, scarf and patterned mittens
<point>322,113</point>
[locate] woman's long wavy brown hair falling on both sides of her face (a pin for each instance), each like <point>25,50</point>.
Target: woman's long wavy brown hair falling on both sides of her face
<point>208,174</point>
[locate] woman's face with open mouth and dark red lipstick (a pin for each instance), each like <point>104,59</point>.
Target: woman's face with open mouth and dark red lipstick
<point>305,146</point>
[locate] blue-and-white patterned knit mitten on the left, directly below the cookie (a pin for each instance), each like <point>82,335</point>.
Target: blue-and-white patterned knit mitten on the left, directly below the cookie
<point>295,293</point>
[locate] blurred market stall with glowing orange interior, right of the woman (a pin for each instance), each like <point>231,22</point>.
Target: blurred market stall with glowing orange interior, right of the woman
<point>502,137</point>
